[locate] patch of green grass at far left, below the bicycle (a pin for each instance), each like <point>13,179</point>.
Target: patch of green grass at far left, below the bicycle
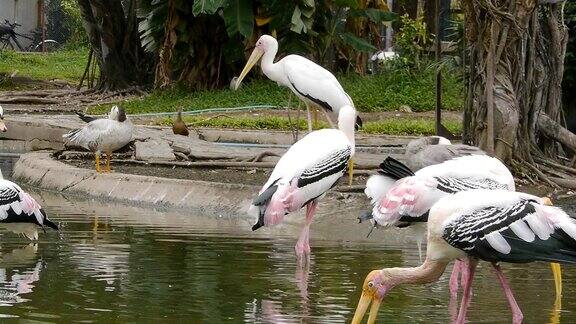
<point>64,65</point>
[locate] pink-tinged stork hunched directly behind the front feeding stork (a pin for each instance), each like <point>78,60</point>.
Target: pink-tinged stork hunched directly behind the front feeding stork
<point>407,201</point>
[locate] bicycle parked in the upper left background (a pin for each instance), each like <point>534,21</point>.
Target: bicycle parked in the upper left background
<point>9,37</point>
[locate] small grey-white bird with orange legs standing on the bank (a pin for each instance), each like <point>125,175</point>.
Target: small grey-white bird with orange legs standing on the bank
<point>103,135</point>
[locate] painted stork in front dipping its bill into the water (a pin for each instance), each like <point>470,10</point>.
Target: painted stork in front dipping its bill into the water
<point>489,225</point>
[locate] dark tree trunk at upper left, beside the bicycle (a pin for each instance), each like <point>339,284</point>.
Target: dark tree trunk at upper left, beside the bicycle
<point>113,33</point>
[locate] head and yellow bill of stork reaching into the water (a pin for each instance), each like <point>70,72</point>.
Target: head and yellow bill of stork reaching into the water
<point>376,285</point>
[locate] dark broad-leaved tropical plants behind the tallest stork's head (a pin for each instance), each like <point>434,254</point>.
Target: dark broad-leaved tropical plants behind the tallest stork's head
<point>203,43</point>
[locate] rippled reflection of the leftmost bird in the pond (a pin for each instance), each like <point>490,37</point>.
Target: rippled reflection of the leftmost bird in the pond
<point>19,270</point>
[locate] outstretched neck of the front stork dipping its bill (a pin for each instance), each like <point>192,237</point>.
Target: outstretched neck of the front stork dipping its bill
<point>429,271</point>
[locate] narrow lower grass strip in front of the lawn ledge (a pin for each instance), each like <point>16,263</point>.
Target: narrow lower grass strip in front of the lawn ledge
<point>396,126</point>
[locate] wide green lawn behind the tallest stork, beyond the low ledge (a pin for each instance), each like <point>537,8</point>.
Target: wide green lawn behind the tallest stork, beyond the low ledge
<point>381,92</point>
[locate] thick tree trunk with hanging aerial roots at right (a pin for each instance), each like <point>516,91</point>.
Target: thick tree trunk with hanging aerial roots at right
<point>516,66</point>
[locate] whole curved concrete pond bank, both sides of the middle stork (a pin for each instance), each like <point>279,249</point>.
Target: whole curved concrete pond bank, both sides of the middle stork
<point>337,211</point>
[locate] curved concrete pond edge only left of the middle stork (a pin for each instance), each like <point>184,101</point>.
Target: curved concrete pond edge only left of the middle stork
<point>40,170</point>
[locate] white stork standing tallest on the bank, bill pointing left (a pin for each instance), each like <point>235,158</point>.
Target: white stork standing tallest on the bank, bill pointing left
<point>310,82</point>
